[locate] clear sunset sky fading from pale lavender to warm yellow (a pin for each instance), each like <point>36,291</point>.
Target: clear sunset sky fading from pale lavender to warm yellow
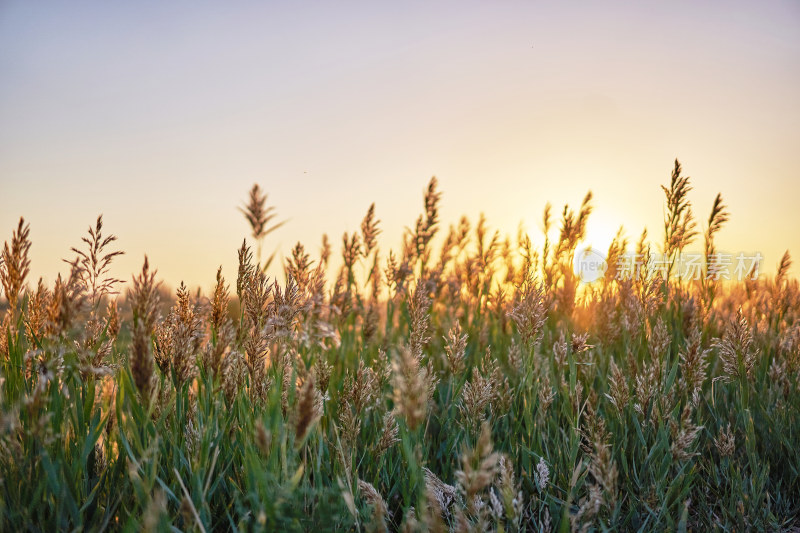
<point>161,116</point>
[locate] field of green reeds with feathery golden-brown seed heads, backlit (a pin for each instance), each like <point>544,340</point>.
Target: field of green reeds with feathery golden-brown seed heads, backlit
<point>464,382</point>
